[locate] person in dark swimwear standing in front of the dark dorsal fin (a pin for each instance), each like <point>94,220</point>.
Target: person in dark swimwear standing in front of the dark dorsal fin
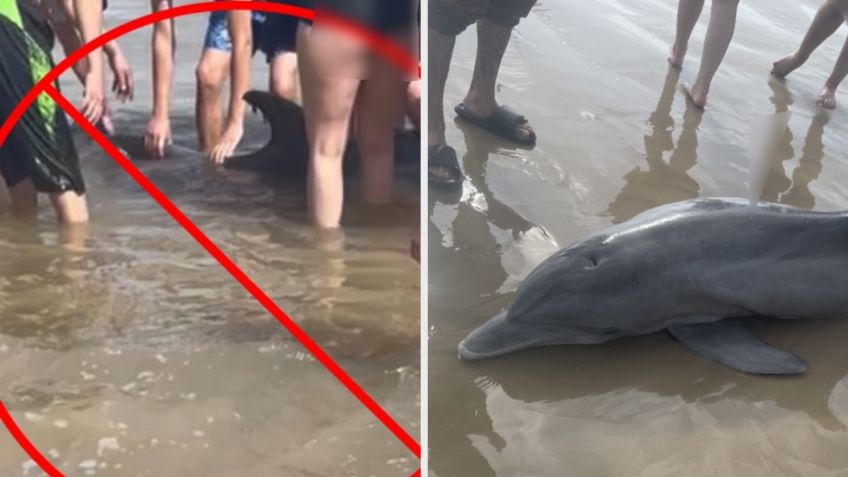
<point>343,81</point>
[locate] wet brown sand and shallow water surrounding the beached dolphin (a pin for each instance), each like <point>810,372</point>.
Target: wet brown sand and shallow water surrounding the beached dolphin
<point>616,138</point>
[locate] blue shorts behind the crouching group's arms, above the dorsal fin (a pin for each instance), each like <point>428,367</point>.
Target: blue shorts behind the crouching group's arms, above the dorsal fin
<point>272,34</point>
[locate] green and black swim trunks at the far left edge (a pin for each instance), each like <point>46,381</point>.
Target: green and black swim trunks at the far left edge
<point>40,146</point>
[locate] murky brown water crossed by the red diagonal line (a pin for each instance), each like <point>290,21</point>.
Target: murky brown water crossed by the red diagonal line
<point>127,351</point>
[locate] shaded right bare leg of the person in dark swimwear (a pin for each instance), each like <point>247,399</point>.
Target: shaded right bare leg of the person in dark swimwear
<point>380,102</point>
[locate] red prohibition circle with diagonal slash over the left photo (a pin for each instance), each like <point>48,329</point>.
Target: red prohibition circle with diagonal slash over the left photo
<point>377,43</point>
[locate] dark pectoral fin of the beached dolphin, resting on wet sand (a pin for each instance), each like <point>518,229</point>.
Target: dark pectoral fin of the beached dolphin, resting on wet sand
<point>730,344</point>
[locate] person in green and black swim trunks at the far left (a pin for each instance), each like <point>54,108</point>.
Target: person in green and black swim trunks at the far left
<point>39,154</point>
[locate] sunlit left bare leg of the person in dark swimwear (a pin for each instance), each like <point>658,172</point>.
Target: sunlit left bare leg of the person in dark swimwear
<point>328,99</point>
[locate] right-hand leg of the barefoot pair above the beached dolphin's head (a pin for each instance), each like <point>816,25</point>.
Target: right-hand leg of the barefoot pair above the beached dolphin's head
<point>719,34</point>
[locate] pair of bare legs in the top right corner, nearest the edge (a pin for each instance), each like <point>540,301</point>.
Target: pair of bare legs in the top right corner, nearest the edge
<point>828,19</point>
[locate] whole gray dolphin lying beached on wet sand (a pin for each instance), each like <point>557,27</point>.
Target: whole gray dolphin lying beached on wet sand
<point>692,268</point>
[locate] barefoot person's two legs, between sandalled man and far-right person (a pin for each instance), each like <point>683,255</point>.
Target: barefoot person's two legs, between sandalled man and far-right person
<point>719,33</point>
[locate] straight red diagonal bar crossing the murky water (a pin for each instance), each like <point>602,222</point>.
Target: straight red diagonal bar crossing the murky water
<point>236,272</point>
